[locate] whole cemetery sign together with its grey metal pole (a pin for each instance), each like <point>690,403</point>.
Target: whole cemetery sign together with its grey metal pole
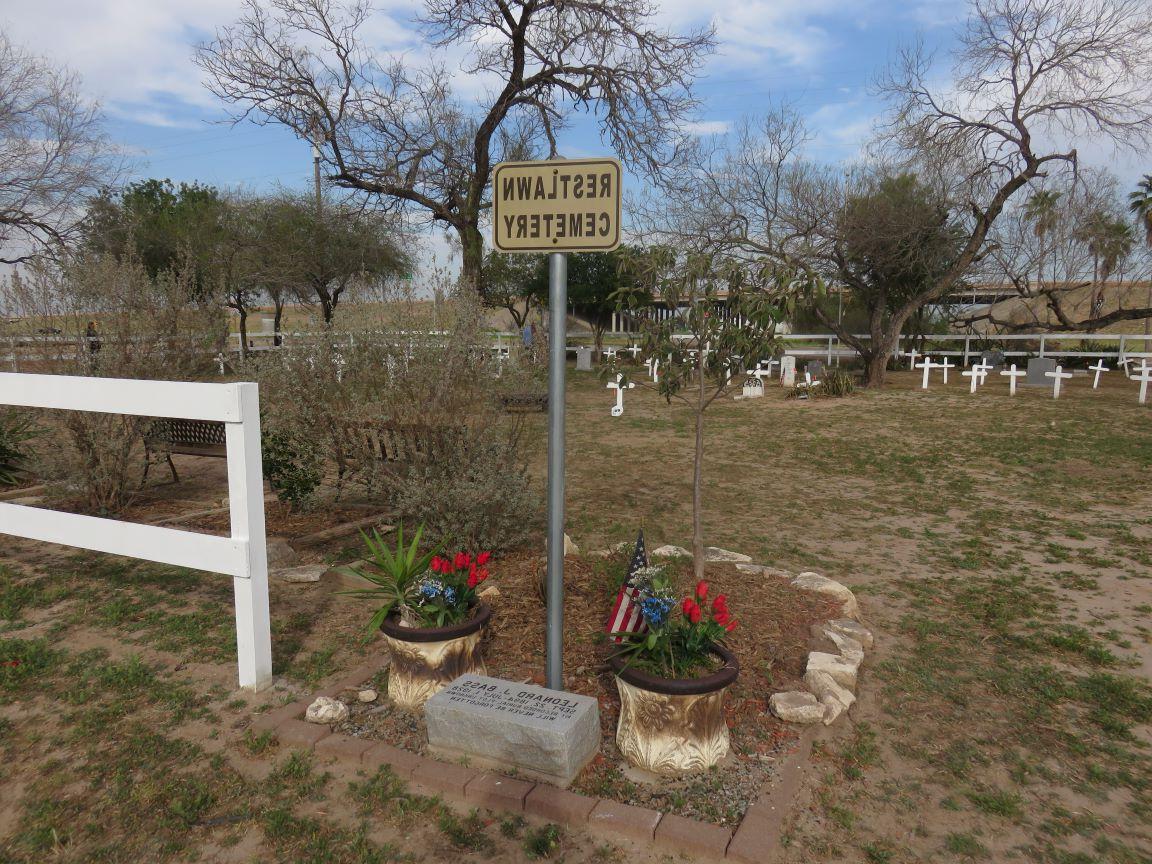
<point>557,207</point>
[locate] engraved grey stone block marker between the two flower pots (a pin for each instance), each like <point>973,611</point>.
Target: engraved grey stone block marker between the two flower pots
<point>543,734</point>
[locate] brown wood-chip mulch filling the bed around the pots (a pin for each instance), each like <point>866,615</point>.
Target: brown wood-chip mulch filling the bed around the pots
<point>772,643</point>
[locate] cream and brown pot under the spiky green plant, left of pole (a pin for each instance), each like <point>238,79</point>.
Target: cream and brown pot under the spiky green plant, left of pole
<point>427,660</point>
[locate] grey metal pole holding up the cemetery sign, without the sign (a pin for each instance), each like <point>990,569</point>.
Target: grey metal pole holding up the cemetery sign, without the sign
<point>558,334</point>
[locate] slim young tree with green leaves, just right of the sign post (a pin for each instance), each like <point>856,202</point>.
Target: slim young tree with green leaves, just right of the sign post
<point>729,313</point>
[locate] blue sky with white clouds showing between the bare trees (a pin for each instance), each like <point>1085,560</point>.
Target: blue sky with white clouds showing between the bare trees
<point>135,58</point>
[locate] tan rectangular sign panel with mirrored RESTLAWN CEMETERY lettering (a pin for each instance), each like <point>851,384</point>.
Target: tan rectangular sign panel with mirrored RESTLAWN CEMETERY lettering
<point>562,206</point>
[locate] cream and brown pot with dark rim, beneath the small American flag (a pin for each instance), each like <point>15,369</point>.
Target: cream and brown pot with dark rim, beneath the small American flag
<point>673,726</point>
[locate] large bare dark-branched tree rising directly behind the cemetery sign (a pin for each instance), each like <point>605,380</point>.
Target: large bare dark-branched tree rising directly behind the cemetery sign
<point>395,130</point>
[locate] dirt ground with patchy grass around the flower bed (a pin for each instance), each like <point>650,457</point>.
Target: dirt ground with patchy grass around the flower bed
<point>998,548</point>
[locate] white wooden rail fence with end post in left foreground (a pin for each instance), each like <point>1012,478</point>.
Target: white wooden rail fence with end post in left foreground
<point>244,556</point>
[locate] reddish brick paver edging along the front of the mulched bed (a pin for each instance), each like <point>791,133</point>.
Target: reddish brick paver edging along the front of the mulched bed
<point>756,840</point>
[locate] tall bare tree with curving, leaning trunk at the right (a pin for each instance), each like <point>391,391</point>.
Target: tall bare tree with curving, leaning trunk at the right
<point>1032,78</point>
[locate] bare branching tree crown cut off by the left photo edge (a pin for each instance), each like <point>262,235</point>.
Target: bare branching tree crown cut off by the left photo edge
<point>54,155</point>
